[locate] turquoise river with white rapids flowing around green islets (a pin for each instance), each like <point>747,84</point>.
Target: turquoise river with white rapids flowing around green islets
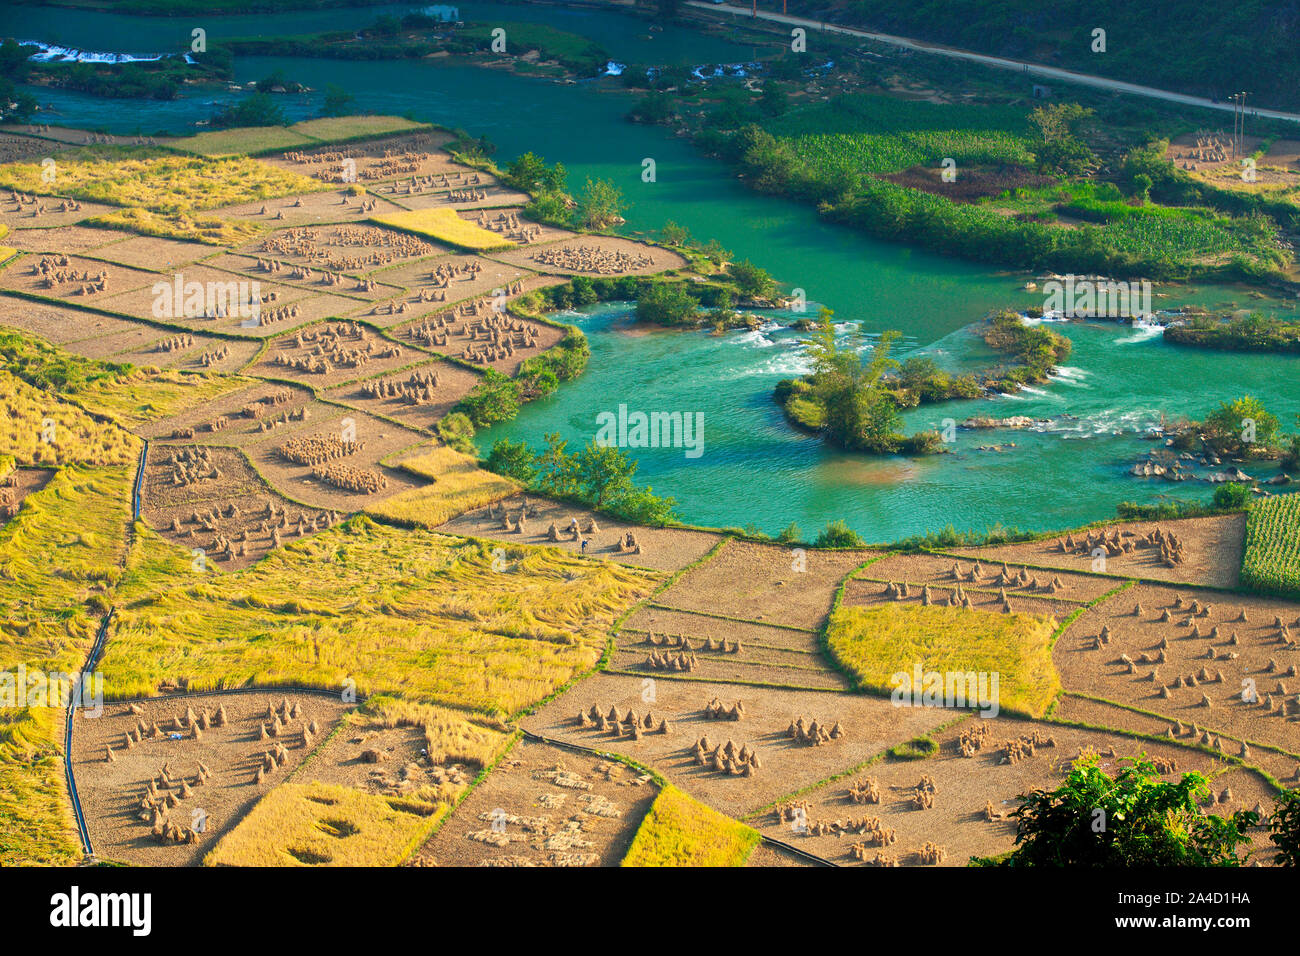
<point>755,469</point>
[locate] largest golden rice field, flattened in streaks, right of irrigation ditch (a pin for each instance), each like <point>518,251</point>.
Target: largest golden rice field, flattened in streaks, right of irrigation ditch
<point>427,617</point>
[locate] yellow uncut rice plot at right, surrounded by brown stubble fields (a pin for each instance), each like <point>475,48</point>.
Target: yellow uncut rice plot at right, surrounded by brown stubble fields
<point>874,644</point>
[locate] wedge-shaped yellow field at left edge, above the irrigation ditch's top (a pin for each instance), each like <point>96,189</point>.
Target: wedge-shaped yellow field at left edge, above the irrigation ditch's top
<point>41,430</point>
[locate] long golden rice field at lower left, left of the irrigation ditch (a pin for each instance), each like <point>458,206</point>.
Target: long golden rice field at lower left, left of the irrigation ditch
<point>59,556</point>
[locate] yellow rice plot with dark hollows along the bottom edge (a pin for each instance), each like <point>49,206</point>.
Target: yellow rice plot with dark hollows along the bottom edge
<point>323,825</point>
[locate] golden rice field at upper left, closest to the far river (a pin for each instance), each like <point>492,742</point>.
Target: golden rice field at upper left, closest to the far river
<point>151,180</point>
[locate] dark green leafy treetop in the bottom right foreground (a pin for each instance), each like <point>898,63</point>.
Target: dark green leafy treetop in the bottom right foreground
<point>1133,820</point>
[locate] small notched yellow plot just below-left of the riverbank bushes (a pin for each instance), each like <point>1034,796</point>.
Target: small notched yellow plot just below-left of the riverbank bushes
<point>457,486</point>
